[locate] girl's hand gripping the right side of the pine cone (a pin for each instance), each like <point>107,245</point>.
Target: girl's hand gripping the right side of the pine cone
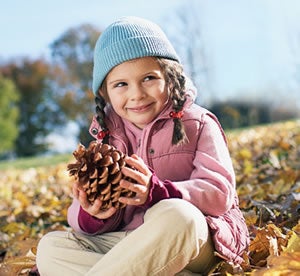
<point>142,175</point>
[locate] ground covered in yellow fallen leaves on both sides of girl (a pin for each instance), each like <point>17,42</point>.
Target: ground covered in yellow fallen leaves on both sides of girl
<point>267,163</point>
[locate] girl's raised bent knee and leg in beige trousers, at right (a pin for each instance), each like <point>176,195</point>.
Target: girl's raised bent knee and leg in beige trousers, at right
<point>174,232</point>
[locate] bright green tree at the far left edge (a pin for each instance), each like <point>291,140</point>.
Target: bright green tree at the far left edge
<point>8,115</point>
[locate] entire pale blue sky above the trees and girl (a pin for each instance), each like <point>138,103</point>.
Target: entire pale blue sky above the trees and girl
<point>250,42</point>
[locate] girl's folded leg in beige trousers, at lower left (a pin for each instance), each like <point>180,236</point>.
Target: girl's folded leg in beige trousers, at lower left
<point>72,254</point>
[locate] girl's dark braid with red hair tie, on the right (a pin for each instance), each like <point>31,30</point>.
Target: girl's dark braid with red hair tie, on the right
<point>176,80</point>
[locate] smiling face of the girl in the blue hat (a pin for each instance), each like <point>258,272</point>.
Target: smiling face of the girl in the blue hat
<point>137,90</point>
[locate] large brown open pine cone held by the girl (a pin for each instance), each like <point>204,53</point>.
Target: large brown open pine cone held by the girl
<point>98,171</point>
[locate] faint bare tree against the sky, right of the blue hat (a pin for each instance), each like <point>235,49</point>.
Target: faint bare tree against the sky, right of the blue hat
<point>188,40</point>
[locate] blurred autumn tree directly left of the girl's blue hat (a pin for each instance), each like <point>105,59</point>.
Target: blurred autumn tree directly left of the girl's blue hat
<point>72,56</point>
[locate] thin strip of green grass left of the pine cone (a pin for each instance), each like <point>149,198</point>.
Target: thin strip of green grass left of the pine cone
<point>34,162</point>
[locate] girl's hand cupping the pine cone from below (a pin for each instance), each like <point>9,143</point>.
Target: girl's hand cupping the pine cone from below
<point>92,209</point>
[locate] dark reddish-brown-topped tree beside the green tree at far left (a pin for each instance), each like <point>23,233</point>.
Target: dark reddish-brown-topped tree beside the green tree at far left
<point>38,110</point>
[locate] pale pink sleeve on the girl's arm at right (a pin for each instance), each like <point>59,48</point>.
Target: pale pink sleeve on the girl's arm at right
<point>211,186</point>
